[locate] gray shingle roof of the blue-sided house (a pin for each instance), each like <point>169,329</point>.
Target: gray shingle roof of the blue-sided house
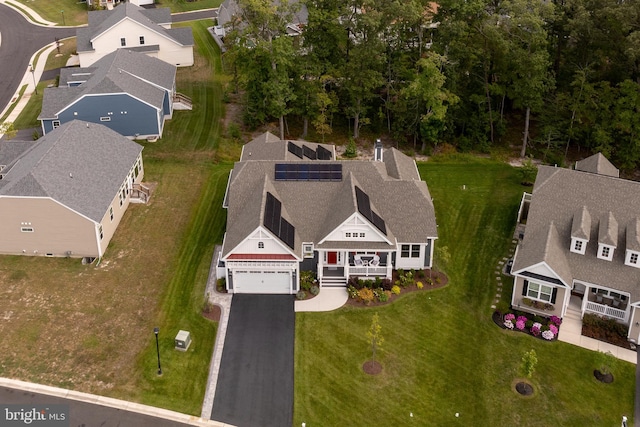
<point>121,71</point>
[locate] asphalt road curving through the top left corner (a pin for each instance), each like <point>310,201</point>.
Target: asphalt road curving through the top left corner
<point>20,40</point>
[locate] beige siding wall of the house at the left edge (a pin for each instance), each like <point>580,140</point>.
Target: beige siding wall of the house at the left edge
<point>57,230</point>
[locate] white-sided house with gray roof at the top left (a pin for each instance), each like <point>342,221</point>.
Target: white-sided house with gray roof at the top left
<point>132,27</point>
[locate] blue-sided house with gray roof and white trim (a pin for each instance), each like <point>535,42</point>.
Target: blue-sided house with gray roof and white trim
<point>126,91</point>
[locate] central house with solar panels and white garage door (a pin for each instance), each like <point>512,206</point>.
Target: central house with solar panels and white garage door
<point>293,207</point>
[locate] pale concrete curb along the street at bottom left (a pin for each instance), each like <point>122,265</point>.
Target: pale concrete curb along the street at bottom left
<point>110,402</point>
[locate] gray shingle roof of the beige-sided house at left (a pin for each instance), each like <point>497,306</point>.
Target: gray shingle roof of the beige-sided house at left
<point>81,165</point>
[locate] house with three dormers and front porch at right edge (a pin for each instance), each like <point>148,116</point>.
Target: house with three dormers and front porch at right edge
<point>580,247</point>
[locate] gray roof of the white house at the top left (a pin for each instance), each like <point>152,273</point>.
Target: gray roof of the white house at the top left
<point>102,20</point>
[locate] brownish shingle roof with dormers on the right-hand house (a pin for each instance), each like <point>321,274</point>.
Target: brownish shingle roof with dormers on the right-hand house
<point>557,195</point>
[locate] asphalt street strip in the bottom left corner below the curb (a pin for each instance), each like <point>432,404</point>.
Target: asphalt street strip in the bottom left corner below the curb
<point>81,413</point>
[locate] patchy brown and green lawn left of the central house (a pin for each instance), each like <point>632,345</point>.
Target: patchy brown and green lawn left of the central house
<point>90,328</point>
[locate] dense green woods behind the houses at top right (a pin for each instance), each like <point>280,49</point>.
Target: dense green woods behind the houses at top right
<point>562,73</point>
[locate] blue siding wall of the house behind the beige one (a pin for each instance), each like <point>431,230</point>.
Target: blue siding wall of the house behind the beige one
<point>129,116</point>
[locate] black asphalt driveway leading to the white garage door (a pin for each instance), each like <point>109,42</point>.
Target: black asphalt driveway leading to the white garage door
<point>255,385</point>
